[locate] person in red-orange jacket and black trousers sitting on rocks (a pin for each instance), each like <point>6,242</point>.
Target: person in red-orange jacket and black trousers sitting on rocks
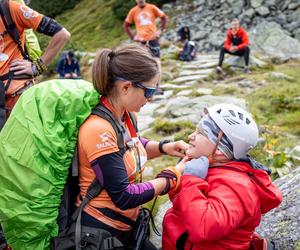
<point>237,44</point>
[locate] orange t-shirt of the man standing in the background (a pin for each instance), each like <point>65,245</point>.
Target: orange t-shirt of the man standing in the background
<point>144,19</point>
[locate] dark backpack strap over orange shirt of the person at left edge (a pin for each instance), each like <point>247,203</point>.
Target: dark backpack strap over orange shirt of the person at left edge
<point>11,27</point>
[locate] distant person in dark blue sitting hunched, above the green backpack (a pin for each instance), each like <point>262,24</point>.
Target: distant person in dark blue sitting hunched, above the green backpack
<point>68,67</point>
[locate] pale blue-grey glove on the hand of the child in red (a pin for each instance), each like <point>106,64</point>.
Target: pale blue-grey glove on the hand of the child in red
<point>197,167</point>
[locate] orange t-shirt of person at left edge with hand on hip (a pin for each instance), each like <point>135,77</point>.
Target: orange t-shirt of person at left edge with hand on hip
<point>24,18</point>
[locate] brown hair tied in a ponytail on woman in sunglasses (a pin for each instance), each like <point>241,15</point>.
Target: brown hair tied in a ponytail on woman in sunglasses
<point>132,62</point>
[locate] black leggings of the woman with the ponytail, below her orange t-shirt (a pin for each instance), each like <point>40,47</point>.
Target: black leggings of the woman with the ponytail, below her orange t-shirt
<point>123,236</point>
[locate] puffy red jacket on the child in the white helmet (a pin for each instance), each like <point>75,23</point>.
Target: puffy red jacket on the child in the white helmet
<point>222,211</point>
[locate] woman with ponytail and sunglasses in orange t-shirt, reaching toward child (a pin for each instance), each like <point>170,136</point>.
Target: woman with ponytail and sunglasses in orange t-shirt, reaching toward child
<point>127,79</point>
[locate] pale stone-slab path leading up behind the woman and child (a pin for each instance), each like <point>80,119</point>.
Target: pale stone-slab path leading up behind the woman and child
<point>189,74</point>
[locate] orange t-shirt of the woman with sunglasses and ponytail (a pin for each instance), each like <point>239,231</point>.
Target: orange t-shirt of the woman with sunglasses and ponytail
<point>97,138</point>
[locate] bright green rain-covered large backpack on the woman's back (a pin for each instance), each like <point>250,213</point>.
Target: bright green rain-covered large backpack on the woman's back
<point>36,148</point>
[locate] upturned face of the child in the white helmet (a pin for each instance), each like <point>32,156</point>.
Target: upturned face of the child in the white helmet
<point>199,145</point>
